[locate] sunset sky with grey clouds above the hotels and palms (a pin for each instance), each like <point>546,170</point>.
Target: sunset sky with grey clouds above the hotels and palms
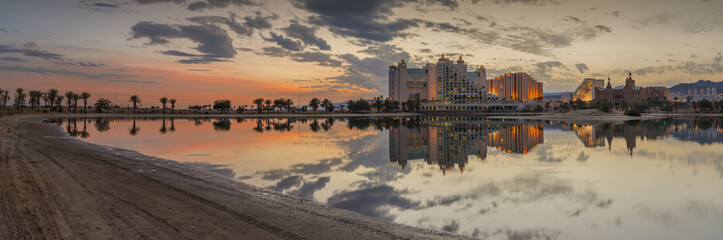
<point>197,51</point>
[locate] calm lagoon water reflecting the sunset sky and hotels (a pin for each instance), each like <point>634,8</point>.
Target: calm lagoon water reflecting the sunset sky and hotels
<point>494,179</point>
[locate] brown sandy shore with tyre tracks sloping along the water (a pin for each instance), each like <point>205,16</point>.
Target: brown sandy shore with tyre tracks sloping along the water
<point>53,186</point>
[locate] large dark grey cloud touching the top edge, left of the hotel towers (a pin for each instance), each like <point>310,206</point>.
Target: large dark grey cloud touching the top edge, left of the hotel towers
<point>364,19</point>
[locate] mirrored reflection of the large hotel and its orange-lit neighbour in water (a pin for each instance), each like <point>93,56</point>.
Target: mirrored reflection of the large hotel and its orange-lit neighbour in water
<point>450,141</point>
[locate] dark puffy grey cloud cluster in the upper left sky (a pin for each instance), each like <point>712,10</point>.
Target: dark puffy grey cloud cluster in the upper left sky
<point>213,41</point>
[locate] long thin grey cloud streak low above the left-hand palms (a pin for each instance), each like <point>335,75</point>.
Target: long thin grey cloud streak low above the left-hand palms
<point>110,77</point>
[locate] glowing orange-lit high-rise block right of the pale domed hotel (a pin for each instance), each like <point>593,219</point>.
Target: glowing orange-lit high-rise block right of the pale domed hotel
<point>516,86</point>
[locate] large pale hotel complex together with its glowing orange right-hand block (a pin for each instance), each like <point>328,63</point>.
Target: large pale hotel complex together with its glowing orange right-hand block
<point>448,86</point>
